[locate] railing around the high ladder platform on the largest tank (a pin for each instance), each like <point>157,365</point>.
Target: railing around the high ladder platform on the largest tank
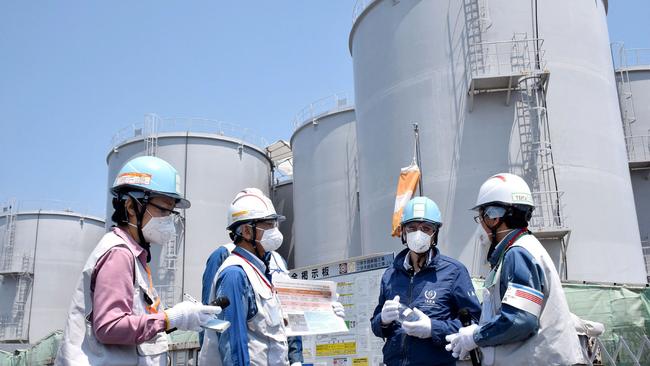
<point>506,58</point>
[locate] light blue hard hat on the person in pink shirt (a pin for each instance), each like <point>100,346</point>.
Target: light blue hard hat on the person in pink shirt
<point>150,174</point>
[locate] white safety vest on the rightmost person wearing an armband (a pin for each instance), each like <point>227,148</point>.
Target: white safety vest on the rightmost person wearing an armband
<point>556,342</point>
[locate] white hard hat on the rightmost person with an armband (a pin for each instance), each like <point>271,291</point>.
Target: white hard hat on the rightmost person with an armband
<point>505,189</point>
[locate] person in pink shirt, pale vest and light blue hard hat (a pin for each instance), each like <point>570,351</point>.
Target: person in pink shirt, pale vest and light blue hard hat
<point>116,316</point>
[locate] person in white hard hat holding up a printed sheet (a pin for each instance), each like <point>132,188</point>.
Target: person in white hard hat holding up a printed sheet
<point>256,335</point>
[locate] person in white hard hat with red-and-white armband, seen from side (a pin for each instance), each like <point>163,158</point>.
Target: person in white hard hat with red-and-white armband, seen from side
<point>525,318</point>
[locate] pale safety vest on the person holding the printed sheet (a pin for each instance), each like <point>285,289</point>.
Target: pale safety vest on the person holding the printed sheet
<point>267,340</point>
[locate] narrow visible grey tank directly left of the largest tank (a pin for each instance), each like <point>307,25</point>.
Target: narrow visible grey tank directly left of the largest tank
<point>326,211</point>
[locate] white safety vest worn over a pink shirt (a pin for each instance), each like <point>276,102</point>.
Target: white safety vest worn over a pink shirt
<point>79,345</point>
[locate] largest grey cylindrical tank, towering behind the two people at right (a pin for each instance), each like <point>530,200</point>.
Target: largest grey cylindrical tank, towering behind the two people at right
<point>416,61</point>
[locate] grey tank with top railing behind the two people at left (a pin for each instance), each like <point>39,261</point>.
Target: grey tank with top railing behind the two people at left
<point>213,168</point>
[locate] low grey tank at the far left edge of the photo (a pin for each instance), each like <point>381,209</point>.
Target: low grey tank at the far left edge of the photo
<point>43,254</point>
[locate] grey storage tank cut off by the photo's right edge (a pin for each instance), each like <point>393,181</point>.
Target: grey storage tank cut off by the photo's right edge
<point>633,78</point>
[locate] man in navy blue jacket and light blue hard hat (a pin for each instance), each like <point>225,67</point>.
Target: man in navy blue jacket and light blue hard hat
<point>421,293</point>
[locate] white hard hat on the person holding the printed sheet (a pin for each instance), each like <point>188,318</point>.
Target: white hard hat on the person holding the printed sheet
<point>251,204</point>
